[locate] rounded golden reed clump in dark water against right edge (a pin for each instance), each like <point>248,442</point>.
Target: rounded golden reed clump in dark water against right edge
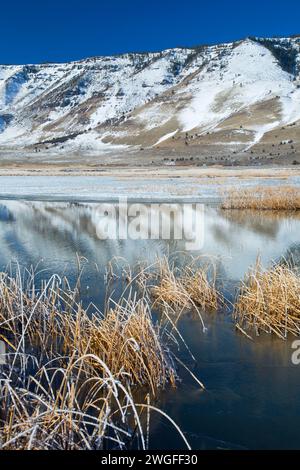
<point>269,301</point>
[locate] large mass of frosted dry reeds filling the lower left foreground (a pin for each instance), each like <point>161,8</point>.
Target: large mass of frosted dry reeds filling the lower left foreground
<point>69,375</point>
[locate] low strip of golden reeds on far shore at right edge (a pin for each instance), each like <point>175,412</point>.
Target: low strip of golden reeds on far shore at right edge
<point>263,198</point>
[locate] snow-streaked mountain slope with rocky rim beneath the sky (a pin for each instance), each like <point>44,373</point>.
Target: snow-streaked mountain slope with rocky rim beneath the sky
<point>235,94</point>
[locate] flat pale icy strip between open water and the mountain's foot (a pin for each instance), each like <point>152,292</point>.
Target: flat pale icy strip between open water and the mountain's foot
<point>157,185</point>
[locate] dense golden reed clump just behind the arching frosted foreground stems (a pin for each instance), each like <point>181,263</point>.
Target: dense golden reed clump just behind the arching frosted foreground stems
<point>125,338</point>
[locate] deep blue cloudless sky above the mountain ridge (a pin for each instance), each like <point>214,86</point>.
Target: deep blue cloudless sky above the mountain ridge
<point>34,31</point>
